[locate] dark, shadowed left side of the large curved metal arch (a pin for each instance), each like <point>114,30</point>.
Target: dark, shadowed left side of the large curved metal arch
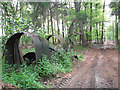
<point>11,49</point>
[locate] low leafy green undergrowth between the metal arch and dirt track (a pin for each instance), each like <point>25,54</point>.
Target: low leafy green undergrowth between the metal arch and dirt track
<point>30,76</point>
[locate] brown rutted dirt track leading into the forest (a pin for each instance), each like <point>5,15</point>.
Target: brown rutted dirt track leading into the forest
<point>99,69</point>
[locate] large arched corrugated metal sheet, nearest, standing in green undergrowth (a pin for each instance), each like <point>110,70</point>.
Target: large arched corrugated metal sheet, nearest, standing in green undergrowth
<point>13,54</point>
